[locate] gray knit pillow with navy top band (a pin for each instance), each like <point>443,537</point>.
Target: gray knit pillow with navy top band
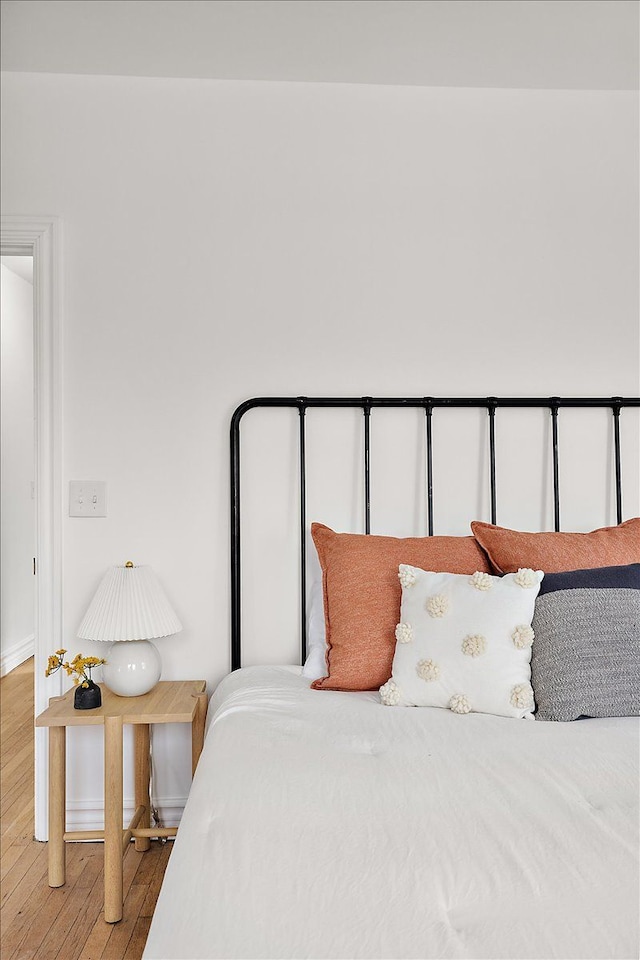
<point>586,653</point>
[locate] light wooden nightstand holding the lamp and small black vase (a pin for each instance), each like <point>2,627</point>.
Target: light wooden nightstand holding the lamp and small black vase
<point>171,701</point>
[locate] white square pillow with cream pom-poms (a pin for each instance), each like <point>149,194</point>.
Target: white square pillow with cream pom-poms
<point>464,642</point>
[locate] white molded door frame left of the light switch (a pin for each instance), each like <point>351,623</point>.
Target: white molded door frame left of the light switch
<point>41,237</point>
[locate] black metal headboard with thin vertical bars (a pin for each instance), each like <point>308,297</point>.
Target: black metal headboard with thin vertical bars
<point>428,404</point>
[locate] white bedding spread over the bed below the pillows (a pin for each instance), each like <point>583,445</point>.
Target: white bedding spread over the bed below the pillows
<point>325,825</point>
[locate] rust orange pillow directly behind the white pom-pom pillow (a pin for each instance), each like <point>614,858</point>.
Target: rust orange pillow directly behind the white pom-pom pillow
<point>362,596</point>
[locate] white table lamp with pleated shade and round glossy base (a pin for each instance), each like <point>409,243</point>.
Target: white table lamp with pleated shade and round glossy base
<point>129,609</point>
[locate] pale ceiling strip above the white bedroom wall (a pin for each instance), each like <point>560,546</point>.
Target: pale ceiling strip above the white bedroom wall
<point>570,44</point>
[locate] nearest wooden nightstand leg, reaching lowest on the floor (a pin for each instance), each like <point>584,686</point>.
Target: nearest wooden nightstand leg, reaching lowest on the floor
<point>113,825</point>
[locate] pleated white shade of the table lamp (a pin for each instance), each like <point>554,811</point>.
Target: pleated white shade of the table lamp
<point>129,604</point>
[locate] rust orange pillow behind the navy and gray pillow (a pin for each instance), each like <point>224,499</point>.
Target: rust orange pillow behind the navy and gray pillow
<point>556,552</point>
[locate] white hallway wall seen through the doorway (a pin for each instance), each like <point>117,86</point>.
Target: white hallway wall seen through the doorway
<point>17,507</point>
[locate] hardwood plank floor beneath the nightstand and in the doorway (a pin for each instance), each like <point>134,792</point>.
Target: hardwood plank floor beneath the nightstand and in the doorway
<point>66,923</point>
